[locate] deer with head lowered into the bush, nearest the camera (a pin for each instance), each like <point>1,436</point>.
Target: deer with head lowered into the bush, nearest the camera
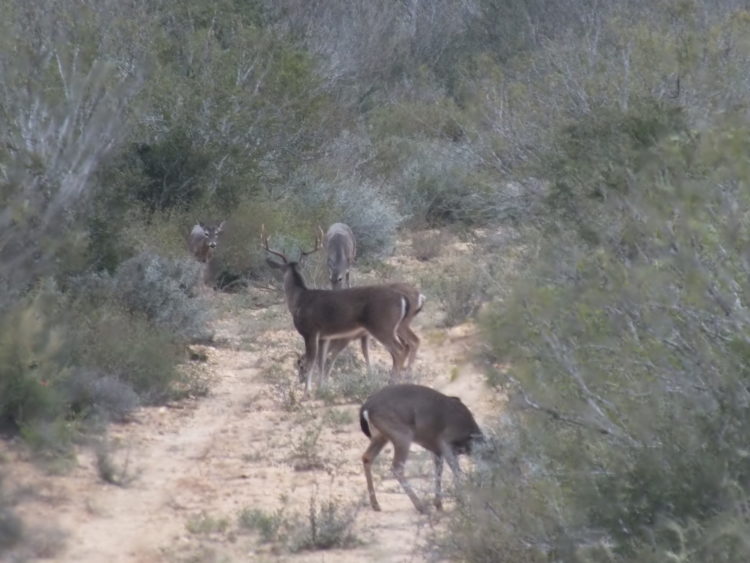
<point>406,413</point>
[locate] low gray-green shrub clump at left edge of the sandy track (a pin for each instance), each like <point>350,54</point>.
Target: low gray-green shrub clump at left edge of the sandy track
<point>79,355</point>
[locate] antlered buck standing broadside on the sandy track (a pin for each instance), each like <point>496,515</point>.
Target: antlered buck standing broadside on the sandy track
<point>321,316</point>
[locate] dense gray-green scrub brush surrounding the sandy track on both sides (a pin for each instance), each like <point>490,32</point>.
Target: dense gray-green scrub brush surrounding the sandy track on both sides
<point>608,138</point>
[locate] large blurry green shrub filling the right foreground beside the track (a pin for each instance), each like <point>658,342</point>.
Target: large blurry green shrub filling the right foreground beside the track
<point>627,355</point>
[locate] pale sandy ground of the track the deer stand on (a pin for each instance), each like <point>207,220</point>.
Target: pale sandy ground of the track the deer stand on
<point>197,464</point>
